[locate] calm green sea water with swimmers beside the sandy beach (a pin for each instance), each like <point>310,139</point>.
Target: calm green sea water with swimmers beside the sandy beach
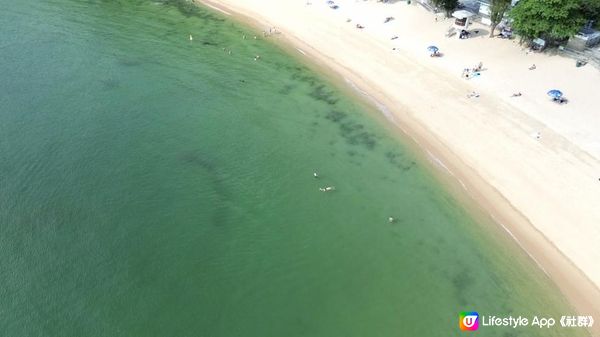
<point>156,186</point>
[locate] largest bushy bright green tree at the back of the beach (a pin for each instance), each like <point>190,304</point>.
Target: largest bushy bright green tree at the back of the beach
<point>550,19</point>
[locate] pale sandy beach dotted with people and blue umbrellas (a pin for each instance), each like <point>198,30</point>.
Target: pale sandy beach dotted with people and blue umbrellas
<point>533,165</point>
